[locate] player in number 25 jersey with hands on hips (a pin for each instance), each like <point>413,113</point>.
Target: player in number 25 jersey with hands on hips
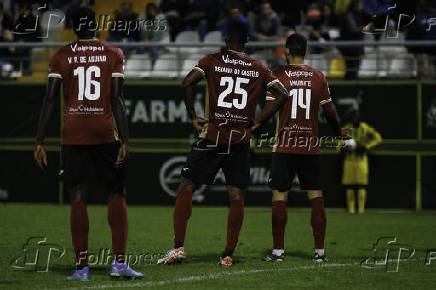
<point>234,82</point>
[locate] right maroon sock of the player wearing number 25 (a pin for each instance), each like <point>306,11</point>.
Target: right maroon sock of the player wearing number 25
<point>234,223</point>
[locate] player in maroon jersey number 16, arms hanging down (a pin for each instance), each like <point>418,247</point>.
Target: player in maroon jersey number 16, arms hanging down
<point>94,135</point>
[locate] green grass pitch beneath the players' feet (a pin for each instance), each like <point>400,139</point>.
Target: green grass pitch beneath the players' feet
<point>349,239</point>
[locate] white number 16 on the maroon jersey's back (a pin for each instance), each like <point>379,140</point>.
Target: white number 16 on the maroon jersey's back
<point>85,82</point>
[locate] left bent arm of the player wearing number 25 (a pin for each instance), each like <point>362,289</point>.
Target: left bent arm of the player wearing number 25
<point>189,84</point>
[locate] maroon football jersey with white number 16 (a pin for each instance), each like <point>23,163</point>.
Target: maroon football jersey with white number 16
<point>86,69</point>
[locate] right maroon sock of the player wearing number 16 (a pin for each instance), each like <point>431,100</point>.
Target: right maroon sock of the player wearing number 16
<point>117,217</point>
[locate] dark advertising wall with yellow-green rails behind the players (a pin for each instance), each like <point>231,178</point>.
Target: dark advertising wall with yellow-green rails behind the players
<point>402,169</point>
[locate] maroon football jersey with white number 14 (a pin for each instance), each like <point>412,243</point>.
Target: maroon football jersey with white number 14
<point>297,127</point>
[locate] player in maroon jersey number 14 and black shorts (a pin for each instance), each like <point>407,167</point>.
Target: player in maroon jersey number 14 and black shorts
<point>296,150</point>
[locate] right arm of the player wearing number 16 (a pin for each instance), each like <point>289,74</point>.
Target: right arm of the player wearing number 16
<point>119,112</point>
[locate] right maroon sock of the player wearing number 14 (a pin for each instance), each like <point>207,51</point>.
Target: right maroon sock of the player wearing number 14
<point>318,221</point>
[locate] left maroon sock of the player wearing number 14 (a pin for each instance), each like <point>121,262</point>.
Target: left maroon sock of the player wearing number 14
<point>279,220</point>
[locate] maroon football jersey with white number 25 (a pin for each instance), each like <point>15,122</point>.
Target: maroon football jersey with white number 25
<point>234,82</point>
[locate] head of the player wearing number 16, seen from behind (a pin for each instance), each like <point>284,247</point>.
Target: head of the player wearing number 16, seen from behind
<point>84,23</point>
